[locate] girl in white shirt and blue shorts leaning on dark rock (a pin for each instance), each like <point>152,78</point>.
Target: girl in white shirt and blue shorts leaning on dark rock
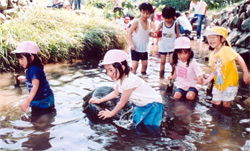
<point>149,107</point>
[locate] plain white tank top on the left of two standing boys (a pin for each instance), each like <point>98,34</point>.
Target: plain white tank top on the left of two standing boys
<point>141,38</point>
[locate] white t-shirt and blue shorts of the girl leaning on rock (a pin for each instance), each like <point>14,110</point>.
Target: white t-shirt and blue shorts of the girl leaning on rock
<point>149,107</point>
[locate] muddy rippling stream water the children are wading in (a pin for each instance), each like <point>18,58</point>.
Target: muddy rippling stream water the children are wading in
<point>186,126</point>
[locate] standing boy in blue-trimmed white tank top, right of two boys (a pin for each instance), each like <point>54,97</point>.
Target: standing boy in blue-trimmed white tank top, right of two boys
<point>170,31</point>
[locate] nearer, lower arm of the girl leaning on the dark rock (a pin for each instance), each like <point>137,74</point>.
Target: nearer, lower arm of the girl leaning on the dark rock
<point>124,99</point>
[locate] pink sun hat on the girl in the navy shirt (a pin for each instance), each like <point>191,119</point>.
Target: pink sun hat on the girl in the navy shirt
<point>27,47</point>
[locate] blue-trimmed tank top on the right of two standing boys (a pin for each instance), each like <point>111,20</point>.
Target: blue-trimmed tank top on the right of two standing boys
<point>168,38</point>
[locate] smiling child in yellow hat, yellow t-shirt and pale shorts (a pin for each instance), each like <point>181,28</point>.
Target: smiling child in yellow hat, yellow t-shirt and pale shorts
<point>225,73</point>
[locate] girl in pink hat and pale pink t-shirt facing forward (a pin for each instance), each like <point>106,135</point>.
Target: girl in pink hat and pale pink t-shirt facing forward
<point>187,70</point>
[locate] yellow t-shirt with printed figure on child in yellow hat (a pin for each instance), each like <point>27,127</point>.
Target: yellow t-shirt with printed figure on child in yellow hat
<point>224,68</point>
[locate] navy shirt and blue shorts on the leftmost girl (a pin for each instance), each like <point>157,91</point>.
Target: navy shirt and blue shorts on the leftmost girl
<point>44,97</point>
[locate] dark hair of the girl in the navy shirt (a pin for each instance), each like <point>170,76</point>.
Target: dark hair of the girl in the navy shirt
<point>37,61</point>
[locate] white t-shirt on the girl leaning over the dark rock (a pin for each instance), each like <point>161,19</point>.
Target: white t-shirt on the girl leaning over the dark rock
<point>143,94</point>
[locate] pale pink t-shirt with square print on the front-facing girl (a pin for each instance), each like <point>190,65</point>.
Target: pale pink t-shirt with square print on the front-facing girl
<point>187,76</point>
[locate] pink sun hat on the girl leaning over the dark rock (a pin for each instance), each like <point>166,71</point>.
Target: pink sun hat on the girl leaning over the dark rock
<point>114,55</point>
